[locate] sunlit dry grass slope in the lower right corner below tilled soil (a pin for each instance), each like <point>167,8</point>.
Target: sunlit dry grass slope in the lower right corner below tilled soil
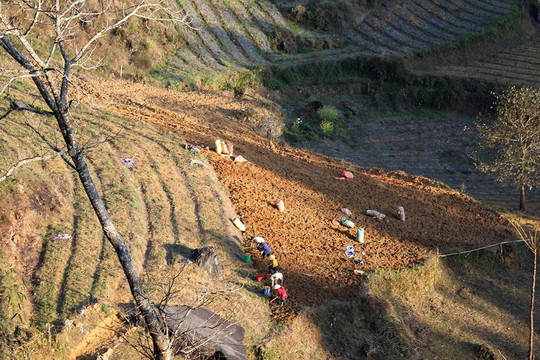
<point>448,308</point>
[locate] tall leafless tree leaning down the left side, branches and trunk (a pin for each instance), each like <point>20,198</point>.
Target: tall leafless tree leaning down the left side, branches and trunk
<point>68,33</point>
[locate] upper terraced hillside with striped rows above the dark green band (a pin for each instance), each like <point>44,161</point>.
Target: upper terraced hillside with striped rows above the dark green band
<point>227,35</point>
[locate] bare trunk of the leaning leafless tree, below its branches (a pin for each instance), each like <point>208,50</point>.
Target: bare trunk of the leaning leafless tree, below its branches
<point>156,327</point>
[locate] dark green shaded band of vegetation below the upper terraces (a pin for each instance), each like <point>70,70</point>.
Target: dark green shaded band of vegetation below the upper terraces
<point>389,83</point>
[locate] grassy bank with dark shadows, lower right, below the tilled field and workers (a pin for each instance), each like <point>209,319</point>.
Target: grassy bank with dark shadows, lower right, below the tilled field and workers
<point>438,323</point>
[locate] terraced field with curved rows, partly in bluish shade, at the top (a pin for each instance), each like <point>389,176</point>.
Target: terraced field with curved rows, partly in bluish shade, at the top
<point>238,33</point>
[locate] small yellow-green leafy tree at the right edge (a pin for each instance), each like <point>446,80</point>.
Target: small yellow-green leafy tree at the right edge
<point>514,135</point>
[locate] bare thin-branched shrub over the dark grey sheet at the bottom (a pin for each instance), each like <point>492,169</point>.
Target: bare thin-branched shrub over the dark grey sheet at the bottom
<point>193,330</point>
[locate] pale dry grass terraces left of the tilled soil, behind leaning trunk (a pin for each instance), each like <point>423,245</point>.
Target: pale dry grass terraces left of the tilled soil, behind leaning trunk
<point>164,208</point>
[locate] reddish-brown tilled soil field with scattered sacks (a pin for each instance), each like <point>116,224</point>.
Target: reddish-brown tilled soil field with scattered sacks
<point>310,249</point>
